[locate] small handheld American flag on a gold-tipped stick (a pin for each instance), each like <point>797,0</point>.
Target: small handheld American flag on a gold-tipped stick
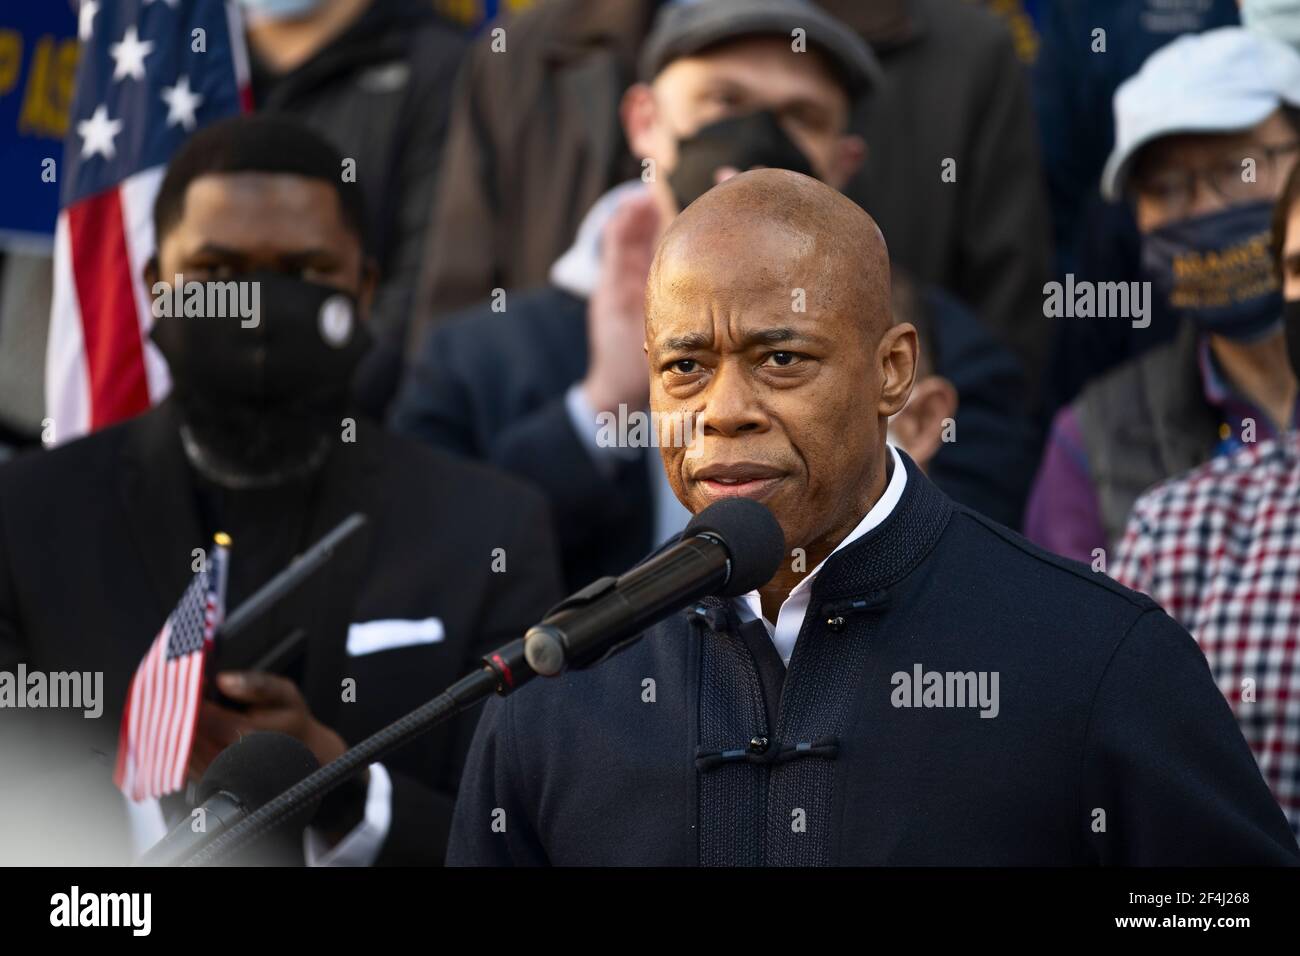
<point>163,703</point>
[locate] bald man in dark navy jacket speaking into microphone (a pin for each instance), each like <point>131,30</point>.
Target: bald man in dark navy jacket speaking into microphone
<point>916,686</point>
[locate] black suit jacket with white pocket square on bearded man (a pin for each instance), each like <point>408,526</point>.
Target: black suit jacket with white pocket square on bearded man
<point>96,551</point>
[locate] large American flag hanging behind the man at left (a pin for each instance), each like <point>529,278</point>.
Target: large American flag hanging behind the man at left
<point>150,73</point>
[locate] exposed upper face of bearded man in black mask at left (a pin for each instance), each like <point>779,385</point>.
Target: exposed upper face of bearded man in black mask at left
<point>233,224</point>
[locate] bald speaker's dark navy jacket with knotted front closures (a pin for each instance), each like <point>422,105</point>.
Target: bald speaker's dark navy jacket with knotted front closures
<point>1111,743</point>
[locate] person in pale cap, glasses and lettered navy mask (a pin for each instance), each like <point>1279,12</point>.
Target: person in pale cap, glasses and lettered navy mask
<point>1206,136</point>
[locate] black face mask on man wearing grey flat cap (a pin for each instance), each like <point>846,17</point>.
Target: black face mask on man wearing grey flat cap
<point>755,140</point>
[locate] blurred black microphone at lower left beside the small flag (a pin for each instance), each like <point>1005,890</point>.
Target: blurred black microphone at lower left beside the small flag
<point>242,778</point>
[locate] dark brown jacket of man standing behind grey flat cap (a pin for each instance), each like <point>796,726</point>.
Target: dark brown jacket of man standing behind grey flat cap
<point>536,140</point>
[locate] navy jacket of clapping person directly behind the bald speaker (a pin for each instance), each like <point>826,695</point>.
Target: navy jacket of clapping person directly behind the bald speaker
<point>491,386</point>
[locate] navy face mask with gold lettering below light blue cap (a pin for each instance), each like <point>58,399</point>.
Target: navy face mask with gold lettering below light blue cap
<point>1217,271</point>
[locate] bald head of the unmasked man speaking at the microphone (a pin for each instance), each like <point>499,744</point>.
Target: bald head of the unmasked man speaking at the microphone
<point>769,326</point>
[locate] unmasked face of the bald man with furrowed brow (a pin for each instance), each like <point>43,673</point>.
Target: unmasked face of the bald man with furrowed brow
<point>785,404</point>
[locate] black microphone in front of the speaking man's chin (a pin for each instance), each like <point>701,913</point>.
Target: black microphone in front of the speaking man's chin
<point>730,548</point>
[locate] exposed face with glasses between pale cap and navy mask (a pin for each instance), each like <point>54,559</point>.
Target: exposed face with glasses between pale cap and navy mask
<point>1185,176</point>
